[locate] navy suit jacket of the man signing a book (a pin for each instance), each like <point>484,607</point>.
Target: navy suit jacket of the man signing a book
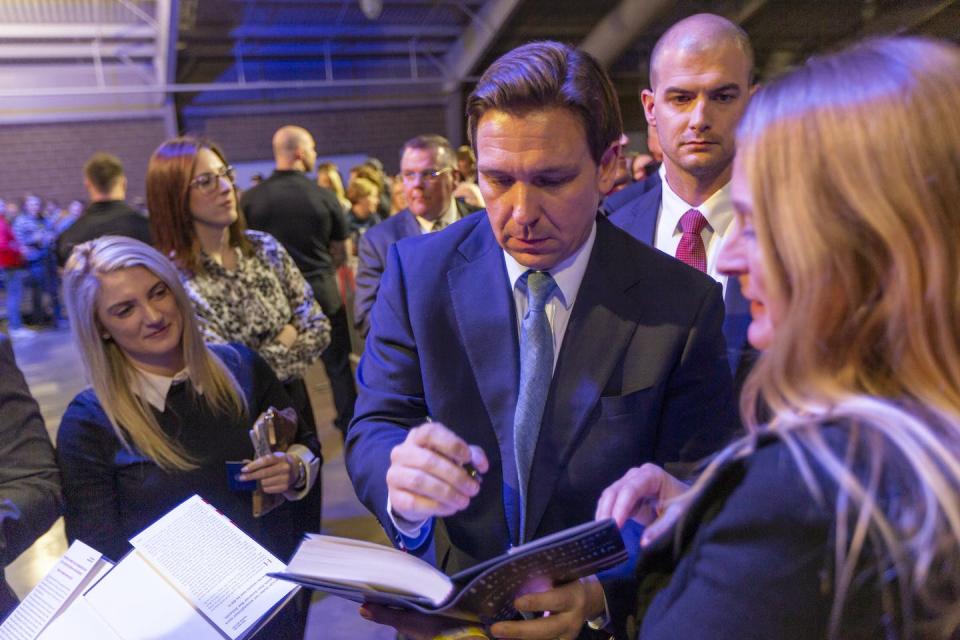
<point>641,376</point>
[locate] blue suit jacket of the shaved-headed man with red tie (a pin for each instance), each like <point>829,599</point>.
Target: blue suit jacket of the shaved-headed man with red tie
<point>639,218</point>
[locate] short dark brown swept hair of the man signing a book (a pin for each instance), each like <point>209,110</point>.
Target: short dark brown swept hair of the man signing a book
<point>544,75</point>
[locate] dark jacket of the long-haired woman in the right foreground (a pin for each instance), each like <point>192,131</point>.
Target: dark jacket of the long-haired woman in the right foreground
<point>754,558</point>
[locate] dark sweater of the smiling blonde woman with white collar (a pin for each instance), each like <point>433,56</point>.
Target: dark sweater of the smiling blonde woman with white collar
<point>112,494</point>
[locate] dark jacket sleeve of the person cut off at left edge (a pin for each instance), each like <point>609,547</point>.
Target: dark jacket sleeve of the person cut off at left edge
<point>30,499</point>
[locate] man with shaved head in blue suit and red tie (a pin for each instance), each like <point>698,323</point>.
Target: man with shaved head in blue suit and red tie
<point>701,77</point>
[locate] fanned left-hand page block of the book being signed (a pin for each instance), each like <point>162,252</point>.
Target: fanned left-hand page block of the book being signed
<point>364,564</point>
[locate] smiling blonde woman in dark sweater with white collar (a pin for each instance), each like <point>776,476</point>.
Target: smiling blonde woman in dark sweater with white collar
<point>164,411</point>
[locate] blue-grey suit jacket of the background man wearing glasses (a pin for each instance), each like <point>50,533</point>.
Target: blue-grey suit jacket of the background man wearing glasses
<point>372,252</point>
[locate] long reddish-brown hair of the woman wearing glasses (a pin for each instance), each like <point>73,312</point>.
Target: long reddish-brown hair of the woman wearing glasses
<point>168,200</point>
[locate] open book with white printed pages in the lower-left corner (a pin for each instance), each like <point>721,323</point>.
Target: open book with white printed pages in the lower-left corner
<point>192,574</point>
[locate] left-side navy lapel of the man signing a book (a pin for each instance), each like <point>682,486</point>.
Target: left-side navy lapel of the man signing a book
<point>485,315</point>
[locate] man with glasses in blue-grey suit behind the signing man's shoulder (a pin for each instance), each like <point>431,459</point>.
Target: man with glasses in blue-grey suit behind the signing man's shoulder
<point>427,171</point>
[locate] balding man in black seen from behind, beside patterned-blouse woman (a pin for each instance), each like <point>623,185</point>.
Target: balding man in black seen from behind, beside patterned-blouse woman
<point>309,222</point>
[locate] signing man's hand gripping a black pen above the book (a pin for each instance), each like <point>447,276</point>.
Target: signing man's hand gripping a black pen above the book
<point>433,473</point>
